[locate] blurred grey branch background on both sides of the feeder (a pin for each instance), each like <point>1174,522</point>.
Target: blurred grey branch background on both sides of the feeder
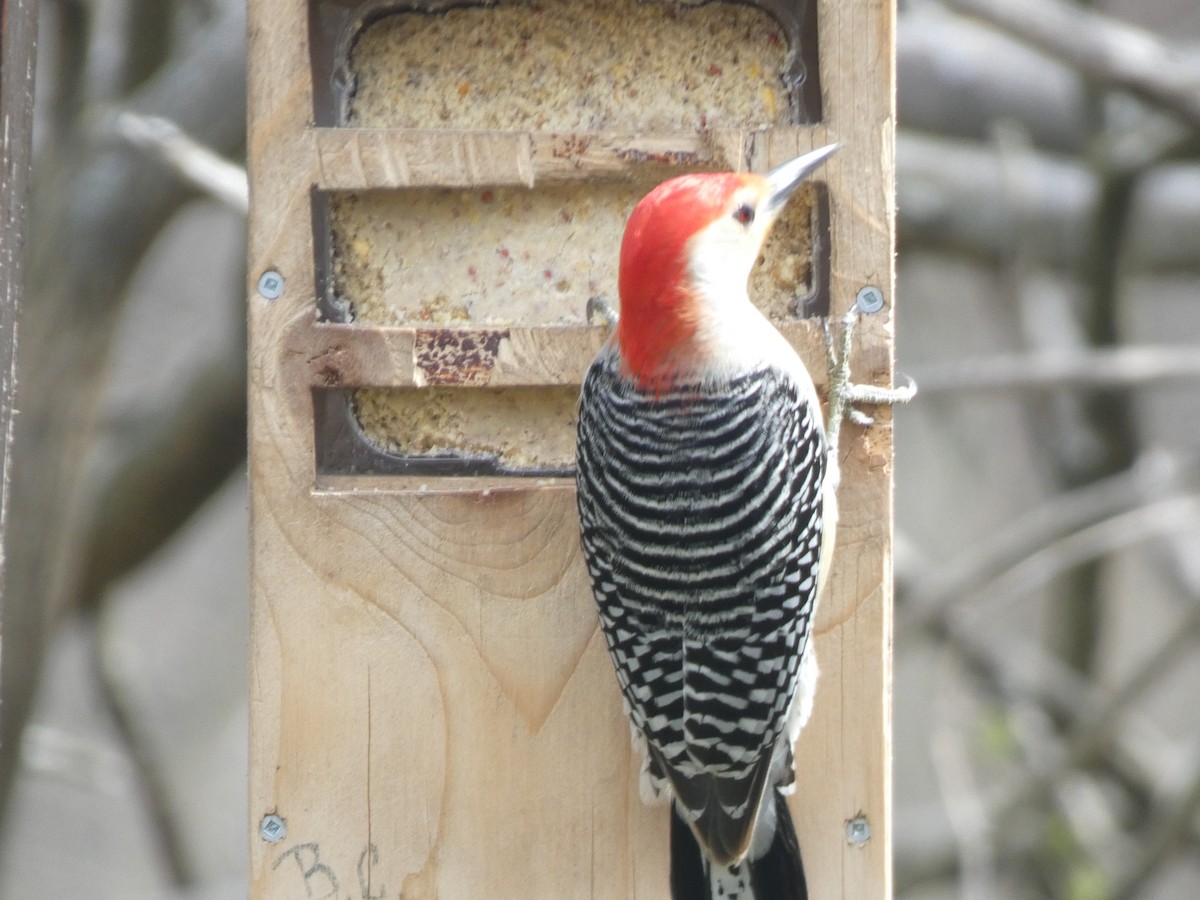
<point>1048,475</point>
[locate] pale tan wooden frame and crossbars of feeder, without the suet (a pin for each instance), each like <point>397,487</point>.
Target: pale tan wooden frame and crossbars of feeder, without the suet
<point>434,713</point>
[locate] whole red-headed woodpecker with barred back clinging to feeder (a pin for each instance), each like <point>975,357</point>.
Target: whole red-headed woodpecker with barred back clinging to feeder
<point>707,511</point>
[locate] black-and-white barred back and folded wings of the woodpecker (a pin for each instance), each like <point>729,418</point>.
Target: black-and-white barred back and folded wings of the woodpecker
<point>701,523</point>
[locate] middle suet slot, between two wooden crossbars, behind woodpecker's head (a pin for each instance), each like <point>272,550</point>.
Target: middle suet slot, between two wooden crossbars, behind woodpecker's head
<point>515,257</point>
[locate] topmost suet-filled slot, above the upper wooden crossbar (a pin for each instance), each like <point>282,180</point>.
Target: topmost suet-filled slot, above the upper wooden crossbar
<point>573,67</point>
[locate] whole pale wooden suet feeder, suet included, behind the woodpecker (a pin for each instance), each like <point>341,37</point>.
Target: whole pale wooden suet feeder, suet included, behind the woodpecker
<point>434,713</point>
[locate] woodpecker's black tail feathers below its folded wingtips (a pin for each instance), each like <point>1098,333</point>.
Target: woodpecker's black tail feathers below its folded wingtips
<point>777,874</point>
